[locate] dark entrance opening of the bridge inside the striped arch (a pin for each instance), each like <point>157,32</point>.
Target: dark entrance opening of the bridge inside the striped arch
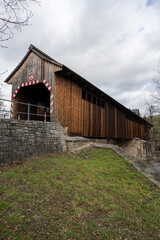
<point>38,97</point>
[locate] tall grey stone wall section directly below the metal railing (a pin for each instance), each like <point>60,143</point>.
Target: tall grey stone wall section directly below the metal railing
<point>21,140</point>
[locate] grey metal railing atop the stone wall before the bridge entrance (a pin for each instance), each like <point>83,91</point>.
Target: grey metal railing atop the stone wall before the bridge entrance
<point>26,111</point>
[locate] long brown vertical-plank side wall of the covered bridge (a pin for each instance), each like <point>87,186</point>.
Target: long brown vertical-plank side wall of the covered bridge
<point>85,118</point>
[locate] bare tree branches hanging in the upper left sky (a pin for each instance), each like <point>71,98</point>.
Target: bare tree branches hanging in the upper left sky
<point>14,14</point>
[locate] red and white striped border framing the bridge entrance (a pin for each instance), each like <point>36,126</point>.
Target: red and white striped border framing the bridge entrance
<point>32,83</point>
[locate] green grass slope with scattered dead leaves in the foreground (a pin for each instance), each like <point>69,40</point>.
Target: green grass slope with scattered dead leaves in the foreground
<point>95,195</point>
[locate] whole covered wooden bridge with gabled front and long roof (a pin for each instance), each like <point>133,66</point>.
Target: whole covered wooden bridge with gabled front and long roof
<point>73,101</point>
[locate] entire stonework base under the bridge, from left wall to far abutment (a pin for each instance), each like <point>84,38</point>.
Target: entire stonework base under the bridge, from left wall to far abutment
<point>21,140</point>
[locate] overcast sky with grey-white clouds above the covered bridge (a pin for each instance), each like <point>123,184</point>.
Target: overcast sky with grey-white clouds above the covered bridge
<point>114,44</point>
